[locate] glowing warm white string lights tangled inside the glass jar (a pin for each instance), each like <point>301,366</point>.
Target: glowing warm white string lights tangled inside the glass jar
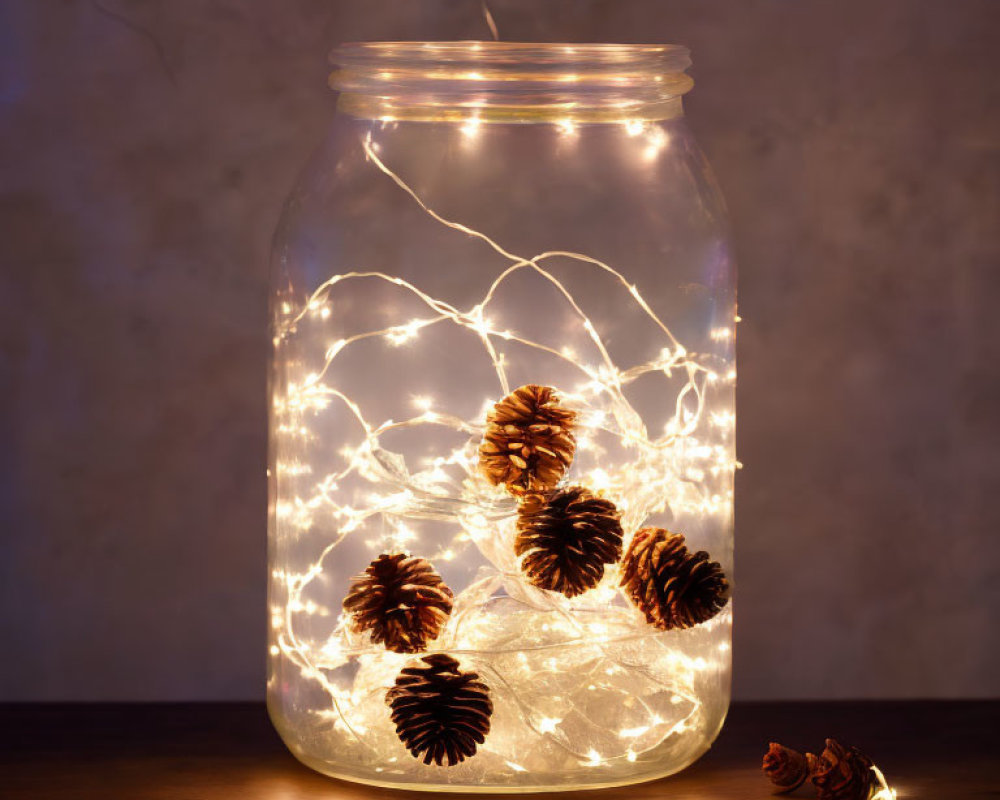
<point>582,682</point>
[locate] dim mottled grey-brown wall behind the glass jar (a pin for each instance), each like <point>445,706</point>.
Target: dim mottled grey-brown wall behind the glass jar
<point>146,148</point>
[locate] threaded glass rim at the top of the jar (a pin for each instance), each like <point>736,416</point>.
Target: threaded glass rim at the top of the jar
<point>502,77</point>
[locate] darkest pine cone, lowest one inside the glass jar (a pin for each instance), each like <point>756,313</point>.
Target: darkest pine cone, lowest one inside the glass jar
<point>439,711</point>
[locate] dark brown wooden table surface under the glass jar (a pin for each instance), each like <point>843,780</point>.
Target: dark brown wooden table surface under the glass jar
<point>207,751</point>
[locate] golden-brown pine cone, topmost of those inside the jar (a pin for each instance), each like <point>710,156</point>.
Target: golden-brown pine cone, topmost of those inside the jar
<point>529,443</point>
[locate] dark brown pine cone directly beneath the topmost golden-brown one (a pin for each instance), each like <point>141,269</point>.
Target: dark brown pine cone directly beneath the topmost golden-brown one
<point>567,538</point>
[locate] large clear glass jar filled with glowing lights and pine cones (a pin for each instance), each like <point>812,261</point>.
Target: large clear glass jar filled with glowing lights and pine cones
<point>501,432</point>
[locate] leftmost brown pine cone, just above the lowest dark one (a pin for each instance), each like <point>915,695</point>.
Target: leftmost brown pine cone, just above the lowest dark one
<point>401,600</point>
